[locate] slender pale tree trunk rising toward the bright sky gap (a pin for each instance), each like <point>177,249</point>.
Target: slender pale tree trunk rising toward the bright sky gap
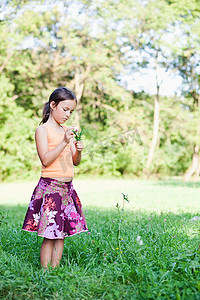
<point>155,129</point>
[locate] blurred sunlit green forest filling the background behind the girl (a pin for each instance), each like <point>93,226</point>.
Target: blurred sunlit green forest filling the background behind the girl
<point>92,47</point>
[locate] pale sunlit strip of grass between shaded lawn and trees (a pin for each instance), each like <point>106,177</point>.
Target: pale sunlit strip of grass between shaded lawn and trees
<point>157,196</point>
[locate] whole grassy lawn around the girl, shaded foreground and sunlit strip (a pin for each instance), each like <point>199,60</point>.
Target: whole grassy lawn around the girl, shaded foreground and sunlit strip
<point>109,263</point>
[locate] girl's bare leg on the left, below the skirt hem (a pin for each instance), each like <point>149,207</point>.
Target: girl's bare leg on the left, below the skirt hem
<point>46,252</point>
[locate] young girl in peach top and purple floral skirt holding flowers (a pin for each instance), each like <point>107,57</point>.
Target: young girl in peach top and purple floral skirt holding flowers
<point>55,210</point>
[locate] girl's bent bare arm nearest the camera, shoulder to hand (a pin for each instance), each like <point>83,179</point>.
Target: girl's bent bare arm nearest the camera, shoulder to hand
<point>46,156</point>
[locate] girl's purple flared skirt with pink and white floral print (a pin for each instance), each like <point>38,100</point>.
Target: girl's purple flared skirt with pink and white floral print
<point>55,210</point>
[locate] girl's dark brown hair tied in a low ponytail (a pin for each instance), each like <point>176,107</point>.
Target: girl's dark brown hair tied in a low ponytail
<point>60,94</point>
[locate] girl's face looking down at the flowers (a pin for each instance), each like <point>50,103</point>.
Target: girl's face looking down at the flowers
<point>63,110</point>
